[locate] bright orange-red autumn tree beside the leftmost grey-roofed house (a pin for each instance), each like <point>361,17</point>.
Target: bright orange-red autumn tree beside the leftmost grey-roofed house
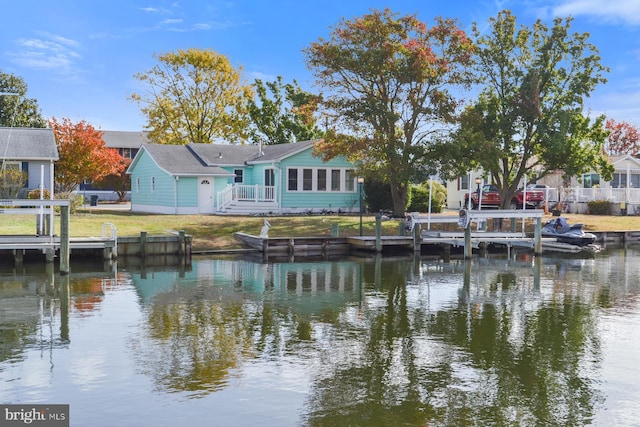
<point>83,154</point>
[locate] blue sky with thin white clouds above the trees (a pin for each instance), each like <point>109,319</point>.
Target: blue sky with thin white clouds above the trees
<point>78,57</point>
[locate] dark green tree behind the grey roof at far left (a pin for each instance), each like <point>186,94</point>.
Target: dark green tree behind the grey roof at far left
<point>16,110</point>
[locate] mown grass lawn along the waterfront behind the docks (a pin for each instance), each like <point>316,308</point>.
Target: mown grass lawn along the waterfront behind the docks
<point>211,232</point>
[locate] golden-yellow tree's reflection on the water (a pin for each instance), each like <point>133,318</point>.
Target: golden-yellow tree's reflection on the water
<point>199,341</point>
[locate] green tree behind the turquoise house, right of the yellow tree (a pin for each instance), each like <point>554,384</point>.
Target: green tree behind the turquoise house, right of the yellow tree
<point>282,113</point>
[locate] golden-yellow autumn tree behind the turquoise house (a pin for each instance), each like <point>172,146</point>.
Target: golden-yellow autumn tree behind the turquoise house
<point>193,95</point>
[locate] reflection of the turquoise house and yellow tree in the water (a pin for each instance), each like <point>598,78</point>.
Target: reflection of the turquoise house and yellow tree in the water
<point>209,321</point>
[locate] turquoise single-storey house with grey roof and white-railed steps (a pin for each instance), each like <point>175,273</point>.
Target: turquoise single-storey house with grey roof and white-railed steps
<point>240,179</point>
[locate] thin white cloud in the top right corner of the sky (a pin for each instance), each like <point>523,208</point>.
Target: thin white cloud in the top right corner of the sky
<point>611,11</point>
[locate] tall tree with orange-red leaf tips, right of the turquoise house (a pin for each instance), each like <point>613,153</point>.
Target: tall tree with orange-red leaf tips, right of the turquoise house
<point>389,79</point>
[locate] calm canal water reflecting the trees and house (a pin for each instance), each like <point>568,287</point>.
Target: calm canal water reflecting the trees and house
<point>391,341</point>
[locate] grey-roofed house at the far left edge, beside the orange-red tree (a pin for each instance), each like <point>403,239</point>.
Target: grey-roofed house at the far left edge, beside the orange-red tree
<point>32,151</point>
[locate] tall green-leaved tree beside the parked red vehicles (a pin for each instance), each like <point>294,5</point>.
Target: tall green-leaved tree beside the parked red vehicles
<point>529,117</point>
